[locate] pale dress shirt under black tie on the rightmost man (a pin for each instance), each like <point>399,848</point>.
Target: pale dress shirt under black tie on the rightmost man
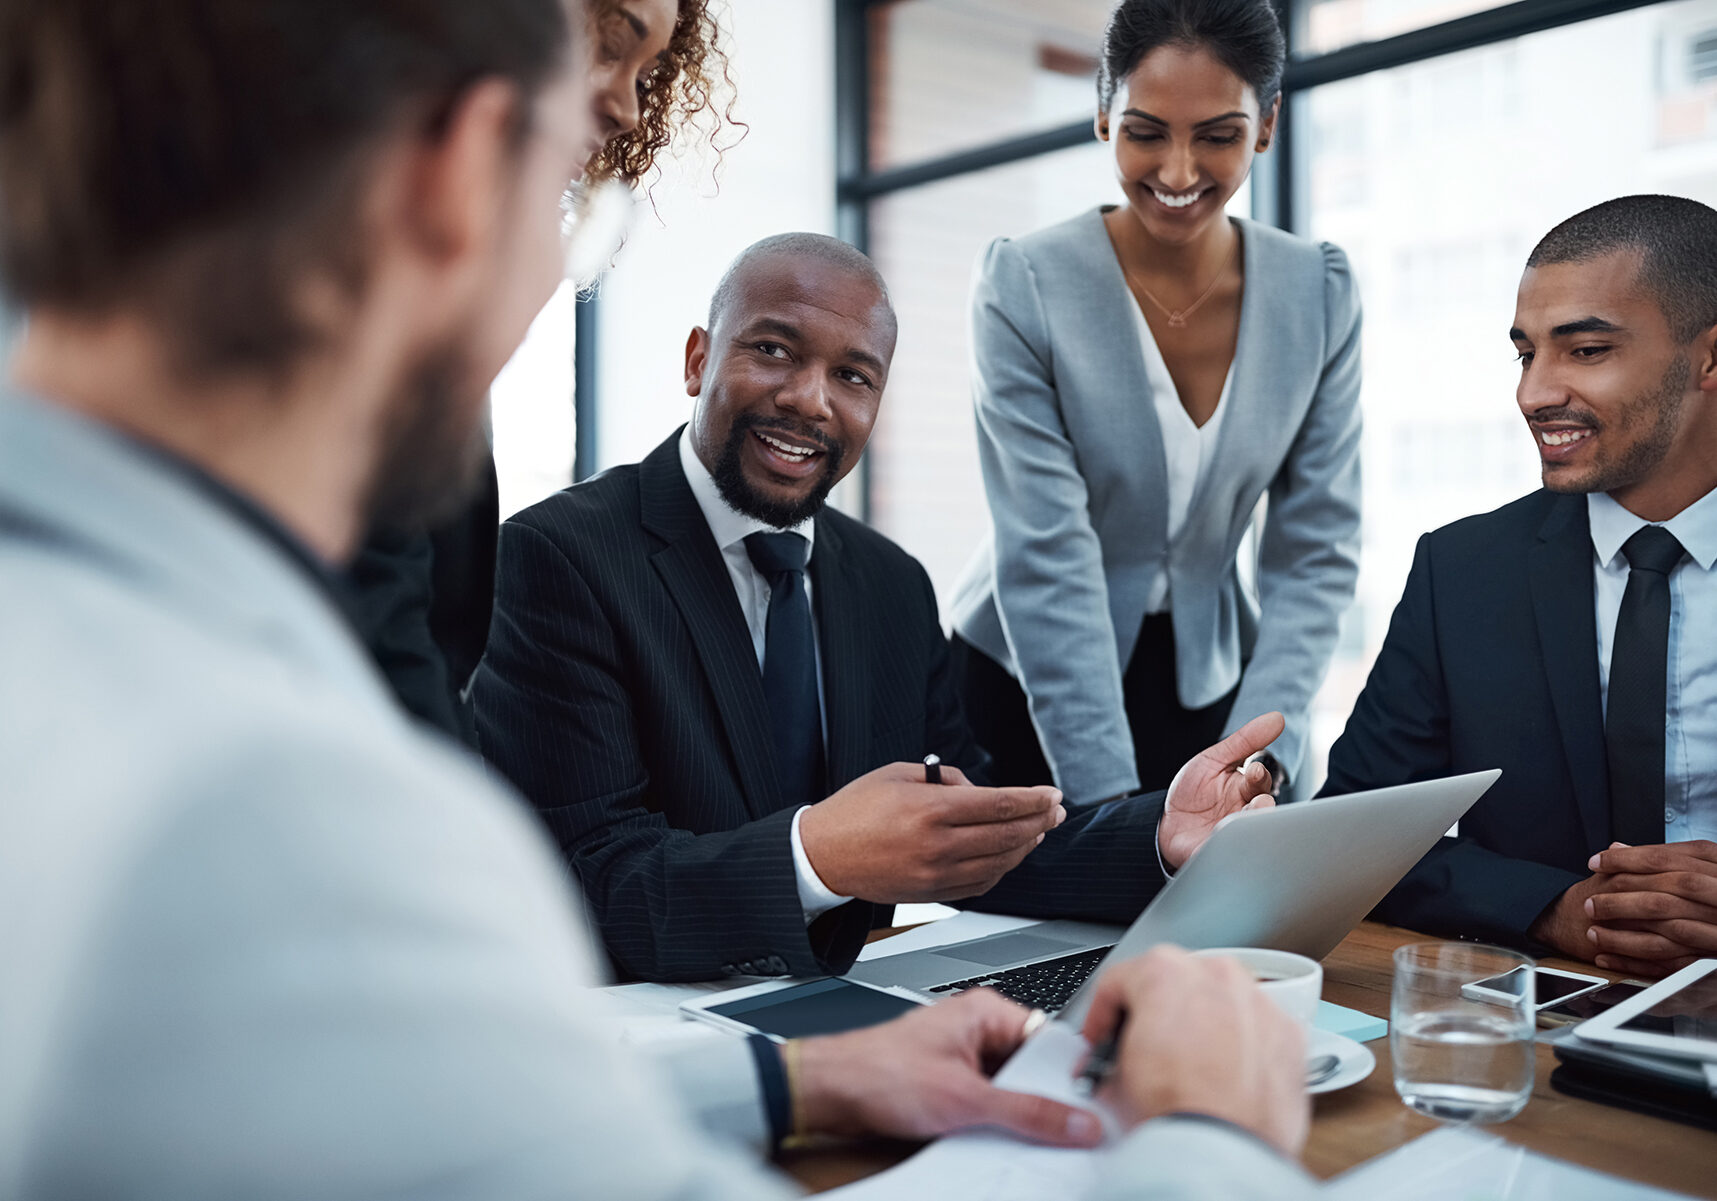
<point>1690,722</point>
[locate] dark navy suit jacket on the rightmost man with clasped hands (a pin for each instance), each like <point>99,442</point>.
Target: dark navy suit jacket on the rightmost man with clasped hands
<point>1491,662</point>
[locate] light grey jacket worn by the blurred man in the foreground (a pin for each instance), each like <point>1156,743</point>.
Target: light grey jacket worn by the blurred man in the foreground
<point>264,937</point>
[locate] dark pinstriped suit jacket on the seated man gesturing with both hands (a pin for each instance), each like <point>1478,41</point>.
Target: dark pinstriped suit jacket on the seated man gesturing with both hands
<point>622,695</point>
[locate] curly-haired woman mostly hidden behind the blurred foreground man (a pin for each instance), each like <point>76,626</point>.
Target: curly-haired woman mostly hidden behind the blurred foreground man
<point>423,600</point>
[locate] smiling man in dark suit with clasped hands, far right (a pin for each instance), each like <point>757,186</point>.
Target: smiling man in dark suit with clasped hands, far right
<point>1572,637</point>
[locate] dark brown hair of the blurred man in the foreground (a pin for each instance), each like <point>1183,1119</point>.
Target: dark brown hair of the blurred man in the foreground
<point>191,159</point>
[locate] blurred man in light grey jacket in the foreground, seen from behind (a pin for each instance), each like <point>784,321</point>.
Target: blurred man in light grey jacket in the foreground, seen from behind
<point>264,939</point>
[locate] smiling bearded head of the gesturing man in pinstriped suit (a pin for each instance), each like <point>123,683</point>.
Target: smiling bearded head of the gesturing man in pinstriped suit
<point>789,382</point>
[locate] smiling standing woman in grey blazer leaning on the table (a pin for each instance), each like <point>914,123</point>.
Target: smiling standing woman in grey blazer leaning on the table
<point>1144,374</point>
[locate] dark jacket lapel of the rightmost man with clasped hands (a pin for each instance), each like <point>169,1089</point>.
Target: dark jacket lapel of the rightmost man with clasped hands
<point>1560,568</point>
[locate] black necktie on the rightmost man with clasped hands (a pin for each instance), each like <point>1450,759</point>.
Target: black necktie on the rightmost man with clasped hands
<point>1639,697</point>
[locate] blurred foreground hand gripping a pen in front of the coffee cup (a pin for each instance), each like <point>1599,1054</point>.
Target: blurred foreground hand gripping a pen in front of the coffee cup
<point>1198,1037</point>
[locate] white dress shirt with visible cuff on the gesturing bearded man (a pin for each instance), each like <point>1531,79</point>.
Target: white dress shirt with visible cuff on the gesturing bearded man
<point>731,528</point>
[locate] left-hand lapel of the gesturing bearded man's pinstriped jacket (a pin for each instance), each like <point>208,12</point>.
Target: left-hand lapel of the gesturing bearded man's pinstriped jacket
<point>698,580</point>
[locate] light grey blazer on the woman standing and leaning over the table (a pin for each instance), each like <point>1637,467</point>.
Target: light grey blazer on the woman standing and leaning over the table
<point>1074,468</point>
